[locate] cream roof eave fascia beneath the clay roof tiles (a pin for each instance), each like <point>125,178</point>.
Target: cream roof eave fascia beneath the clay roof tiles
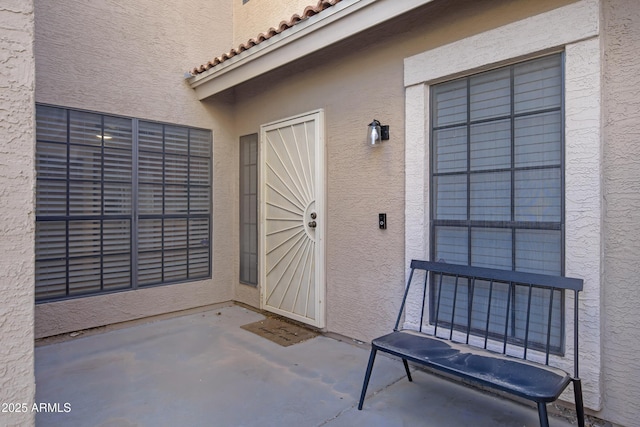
<point>334,24</point>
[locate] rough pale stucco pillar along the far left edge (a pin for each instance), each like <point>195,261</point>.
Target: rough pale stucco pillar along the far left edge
<point>17,228</point>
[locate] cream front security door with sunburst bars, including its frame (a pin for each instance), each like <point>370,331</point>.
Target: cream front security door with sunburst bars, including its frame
<point>292,218</point>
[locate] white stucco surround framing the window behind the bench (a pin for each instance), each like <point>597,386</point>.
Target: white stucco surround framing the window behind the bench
<point>573,29</point>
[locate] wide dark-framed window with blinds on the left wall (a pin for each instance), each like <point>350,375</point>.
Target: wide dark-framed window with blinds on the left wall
<point>120,203</point>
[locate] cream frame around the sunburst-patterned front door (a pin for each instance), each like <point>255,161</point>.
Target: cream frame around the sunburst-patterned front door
<point>320,231</point>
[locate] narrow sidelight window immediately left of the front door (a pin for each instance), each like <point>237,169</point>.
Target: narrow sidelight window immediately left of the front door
<point>249,209</point>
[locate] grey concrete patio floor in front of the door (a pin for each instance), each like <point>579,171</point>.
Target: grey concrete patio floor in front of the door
<point>202,369</point>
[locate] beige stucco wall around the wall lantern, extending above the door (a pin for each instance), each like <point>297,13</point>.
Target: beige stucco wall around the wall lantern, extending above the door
<point>355,82</point>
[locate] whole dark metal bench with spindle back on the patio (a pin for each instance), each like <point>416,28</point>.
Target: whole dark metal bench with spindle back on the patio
<point>493,328</point>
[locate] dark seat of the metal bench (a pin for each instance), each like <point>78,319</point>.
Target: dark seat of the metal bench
<point>536,382</point>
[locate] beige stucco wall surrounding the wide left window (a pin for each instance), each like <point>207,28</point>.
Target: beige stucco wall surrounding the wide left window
<point>129,58</point>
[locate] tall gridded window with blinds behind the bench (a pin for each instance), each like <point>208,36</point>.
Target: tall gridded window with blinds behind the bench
<point>497,183</point>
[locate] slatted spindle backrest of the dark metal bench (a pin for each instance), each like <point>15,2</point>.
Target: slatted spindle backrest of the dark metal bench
<point>493,309</point>
